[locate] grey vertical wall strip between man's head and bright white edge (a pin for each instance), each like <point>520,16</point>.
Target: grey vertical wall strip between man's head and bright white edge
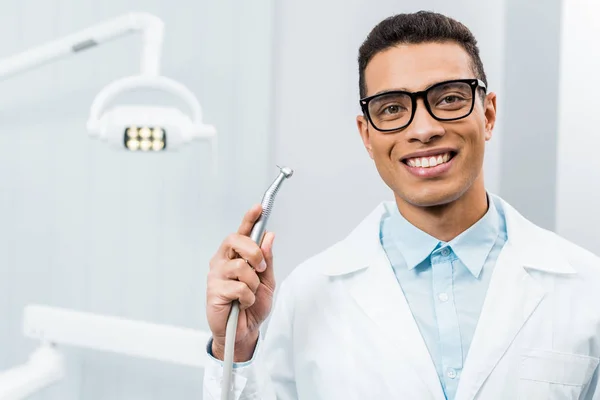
<point>532,55</point>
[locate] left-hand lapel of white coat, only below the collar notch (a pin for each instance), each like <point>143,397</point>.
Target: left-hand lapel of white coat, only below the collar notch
<point>378,293</point>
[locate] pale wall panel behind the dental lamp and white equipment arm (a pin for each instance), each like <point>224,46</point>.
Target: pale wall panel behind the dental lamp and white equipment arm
<point>87,228</point>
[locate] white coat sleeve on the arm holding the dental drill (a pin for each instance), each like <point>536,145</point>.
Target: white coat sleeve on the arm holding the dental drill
<point>269,375</point>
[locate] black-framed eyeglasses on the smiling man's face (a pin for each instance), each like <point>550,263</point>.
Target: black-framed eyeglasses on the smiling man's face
<point>445,101</point>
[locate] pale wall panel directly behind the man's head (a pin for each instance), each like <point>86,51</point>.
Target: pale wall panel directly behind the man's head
<point>316,81</point>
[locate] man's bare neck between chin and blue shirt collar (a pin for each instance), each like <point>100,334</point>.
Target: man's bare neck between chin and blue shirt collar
<point>447,221</point>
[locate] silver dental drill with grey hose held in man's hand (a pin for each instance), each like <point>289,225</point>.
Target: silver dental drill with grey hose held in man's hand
<point>257,235</point>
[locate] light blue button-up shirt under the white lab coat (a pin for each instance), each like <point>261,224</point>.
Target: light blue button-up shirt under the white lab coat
<point>445,284</point>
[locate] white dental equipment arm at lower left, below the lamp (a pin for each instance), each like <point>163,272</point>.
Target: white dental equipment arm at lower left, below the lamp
<point>55,326</point>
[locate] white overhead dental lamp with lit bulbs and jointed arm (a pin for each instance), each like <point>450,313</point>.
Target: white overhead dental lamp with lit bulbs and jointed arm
<point>131,127</point>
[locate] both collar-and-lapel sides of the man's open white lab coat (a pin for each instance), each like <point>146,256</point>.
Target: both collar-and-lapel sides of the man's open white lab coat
<point>363,269</point>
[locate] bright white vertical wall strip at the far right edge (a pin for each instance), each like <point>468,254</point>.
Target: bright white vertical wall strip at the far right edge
<point>578,189</point>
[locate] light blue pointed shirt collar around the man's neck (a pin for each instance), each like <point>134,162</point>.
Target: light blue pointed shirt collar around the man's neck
<point>471,247</point>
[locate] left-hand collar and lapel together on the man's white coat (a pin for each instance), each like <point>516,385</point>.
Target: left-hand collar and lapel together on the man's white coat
<point>362,266</point>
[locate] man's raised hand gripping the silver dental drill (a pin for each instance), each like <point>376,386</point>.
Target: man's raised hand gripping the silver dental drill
<point>243,271</point>
